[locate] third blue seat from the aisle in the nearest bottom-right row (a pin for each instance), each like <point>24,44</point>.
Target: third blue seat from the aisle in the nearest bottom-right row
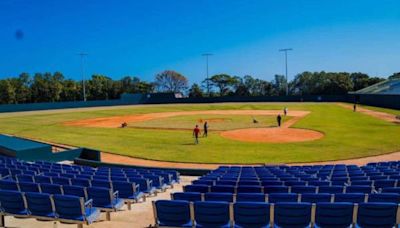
<point>251,214</point>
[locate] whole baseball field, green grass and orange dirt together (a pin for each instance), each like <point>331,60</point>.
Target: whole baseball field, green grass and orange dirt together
<point>241,133</point>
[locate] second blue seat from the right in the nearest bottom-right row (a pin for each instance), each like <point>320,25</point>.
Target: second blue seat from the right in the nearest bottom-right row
<point>334,215</point>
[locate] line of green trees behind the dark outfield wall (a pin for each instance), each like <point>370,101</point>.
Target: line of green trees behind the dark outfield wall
<point>54,87</point>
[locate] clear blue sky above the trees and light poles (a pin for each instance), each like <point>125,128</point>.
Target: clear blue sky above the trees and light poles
<point>144,37</point>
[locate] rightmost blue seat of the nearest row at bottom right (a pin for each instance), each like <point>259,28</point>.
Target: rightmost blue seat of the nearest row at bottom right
<point>380,215</point>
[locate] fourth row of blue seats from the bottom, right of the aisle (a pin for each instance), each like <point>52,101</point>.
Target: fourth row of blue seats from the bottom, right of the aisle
<point>377,183</point>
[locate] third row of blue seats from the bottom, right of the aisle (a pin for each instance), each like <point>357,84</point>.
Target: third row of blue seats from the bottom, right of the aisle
<point>280,189</point>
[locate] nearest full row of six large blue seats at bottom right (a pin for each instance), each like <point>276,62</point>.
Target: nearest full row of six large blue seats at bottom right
<point>180,213</point>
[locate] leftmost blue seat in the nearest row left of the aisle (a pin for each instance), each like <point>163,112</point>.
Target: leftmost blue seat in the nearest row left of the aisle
<point>13,203</point>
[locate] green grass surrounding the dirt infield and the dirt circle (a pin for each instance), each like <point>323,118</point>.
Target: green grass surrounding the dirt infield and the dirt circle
<point>347,135</point>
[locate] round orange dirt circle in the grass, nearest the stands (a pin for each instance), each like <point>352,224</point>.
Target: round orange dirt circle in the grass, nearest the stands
<point>272,135</point>
